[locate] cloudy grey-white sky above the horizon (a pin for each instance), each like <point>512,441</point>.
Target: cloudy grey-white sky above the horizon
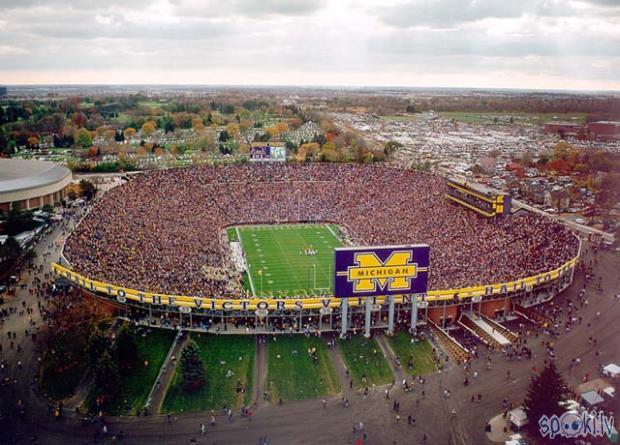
<point>559,44</point>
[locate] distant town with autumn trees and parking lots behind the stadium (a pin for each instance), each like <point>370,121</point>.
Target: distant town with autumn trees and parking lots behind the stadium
<point>558,152</point>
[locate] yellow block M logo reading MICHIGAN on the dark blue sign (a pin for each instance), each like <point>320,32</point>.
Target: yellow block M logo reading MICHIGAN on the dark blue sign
<point>392,274</point>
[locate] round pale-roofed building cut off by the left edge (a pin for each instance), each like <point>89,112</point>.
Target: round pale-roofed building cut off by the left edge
<point>31,184</point>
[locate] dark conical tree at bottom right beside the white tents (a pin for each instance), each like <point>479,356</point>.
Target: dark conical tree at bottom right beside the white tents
<point>543,397</point>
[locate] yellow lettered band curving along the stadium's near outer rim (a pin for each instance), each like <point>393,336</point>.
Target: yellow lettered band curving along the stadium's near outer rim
<point>305,302</point>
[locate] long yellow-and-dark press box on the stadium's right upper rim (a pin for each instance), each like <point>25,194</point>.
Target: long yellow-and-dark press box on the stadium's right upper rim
<point>485,200</point>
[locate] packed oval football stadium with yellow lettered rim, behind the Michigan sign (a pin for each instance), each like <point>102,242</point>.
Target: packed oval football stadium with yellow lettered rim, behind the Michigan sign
<point>250,248</point>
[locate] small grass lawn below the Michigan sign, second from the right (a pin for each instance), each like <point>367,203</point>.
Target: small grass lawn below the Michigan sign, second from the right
<point>363,357</point>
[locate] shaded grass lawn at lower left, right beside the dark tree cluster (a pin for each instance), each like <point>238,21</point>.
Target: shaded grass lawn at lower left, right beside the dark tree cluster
<point>137,382</point>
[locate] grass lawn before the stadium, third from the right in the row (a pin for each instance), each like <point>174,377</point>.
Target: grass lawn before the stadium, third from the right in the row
<point>291,374</point>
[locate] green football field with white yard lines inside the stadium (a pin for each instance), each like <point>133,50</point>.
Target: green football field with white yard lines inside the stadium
<point>277,263</point>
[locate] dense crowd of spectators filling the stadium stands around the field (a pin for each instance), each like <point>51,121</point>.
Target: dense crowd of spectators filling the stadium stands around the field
<point>159,231</point>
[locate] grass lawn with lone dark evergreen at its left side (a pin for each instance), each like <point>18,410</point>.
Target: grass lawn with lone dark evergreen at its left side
<point>219,353</point>
